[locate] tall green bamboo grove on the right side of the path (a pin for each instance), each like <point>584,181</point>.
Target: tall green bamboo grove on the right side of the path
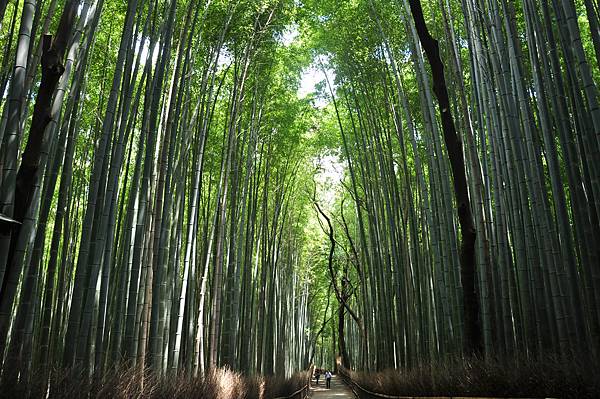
<point>522,78</point>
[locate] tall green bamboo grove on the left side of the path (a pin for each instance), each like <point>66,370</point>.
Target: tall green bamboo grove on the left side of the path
<point>163,224</point>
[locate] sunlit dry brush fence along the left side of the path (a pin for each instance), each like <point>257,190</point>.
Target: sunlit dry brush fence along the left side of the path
<point>130,383</point>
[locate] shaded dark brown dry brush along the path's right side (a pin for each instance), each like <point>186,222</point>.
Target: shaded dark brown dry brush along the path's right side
<point>546,377</point>
